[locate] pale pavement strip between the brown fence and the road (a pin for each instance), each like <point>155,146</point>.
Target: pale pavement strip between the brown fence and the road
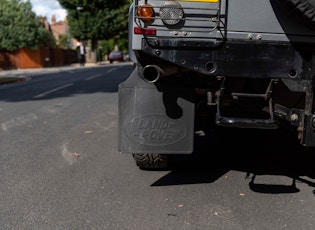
<point>15,75</point>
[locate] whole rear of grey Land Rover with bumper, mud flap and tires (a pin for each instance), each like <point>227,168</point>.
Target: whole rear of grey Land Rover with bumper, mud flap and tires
<point>252,62</point>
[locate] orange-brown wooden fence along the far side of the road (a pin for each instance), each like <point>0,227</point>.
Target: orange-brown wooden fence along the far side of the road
<point>44,57</point>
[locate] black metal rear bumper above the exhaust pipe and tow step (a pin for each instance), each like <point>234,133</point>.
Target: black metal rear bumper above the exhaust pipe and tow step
<point>234,58</point>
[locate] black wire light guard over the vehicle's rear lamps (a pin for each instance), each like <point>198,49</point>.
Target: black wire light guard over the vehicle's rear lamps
<point>183,18</point>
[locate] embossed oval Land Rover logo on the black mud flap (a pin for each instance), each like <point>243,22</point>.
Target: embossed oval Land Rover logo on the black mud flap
<point>155,130</point>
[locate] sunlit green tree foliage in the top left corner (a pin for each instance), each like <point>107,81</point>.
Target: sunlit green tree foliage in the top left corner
<point>20,27</point>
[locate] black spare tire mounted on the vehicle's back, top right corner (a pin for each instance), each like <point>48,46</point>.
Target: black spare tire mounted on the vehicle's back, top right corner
<point>303,9</point>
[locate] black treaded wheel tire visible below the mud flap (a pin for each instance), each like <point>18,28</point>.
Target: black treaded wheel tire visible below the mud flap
<point>147,161</point>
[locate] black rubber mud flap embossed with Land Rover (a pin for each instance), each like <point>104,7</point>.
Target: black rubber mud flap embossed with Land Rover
<point>155,118</point>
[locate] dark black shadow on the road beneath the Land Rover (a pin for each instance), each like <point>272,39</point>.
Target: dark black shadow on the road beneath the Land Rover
<point>254,152</point>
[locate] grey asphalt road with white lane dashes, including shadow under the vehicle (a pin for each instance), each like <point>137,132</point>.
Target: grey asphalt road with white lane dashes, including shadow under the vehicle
<point>60,168</point>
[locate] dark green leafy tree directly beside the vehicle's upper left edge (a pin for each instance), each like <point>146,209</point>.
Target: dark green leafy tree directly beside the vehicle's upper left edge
<point>98,19</point>
